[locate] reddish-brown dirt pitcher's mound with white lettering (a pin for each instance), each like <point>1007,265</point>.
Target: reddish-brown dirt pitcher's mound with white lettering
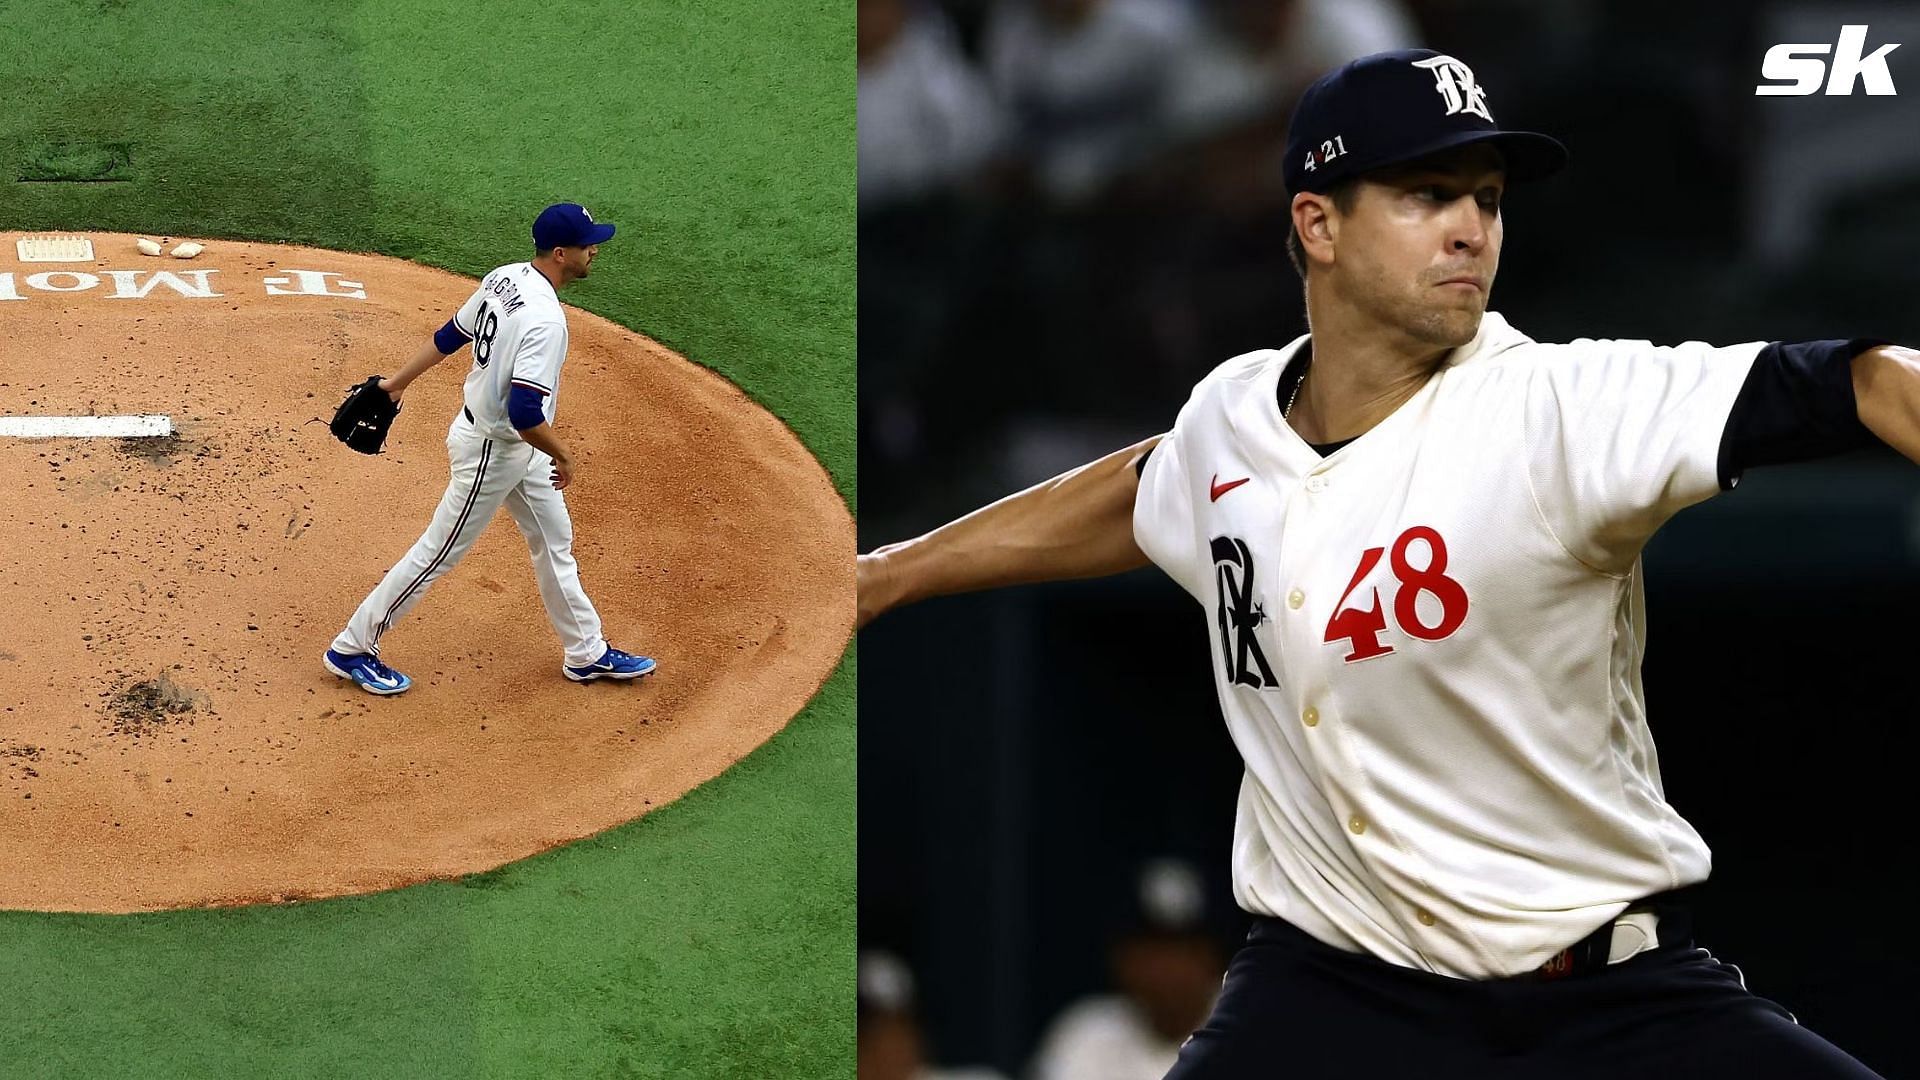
<point>168,735</point>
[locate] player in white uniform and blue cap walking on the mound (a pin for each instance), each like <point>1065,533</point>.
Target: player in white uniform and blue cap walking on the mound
<point>504,453</point>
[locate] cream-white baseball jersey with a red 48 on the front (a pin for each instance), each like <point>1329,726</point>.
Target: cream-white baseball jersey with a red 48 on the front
<point>1428,645</point>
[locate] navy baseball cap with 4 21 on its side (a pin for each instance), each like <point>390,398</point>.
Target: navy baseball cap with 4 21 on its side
<point>1397,107</point>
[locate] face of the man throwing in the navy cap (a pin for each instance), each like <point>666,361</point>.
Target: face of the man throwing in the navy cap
<point>1422,245</point>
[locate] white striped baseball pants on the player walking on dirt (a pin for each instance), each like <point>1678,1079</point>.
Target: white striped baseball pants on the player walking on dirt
<point>489,474</point>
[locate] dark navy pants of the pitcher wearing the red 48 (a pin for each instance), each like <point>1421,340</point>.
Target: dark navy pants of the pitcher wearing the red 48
<point>1295,1008</point>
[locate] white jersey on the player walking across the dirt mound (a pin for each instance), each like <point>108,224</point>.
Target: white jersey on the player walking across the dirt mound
<point>519,339</point>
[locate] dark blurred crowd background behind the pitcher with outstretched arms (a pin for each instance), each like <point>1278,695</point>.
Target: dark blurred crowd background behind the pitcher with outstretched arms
<point>1070,210</point>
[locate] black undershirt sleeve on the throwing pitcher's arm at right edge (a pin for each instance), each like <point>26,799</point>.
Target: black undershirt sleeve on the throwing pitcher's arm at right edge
<point>1796,406</point>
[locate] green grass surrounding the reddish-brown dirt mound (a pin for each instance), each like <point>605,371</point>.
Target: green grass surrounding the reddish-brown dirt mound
<point>711,939</point>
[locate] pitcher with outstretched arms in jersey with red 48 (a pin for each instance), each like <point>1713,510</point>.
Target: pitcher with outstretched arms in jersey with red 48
<point>1418,537</point>
